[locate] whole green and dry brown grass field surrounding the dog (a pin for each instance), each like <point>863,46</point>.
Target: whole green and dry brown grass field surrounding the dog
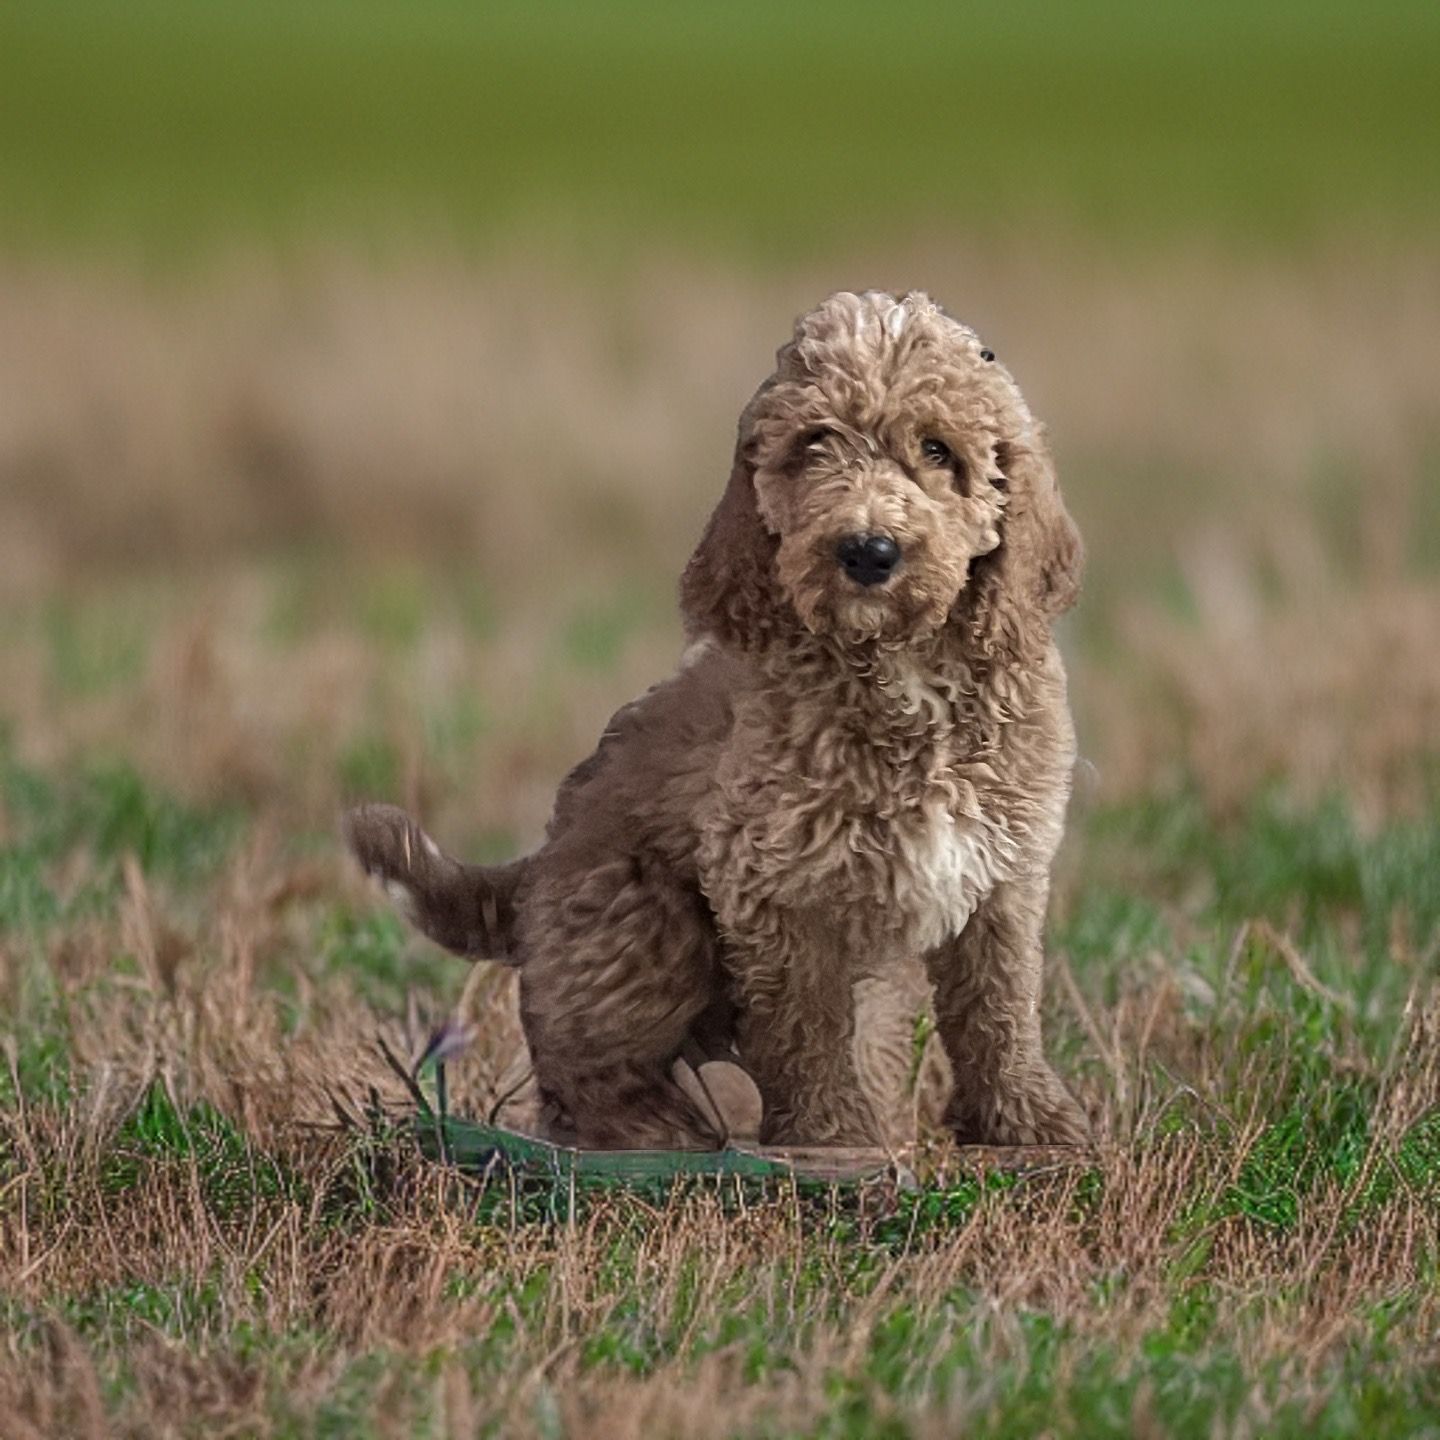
<point>366,375</point>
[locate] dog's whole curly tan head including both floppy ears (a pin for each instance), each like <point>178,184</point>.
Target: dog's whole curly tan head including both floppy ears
<point>889,482</point>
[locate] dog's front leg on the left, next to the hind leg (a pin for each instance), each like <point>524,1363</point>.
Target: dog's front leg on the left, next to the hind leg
<point>796,1035</point>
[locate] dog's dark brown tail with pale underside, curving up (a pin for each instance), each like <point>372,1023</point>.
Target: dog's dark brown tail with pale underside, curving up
<point>469,909</point>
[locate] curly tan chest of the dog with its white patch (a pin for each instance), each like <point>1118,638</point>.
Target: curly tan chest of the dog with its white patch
<point>883,836</point>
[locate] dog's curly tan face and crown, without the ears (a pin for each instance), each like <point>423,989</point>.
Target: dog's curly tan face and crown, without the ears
<point>879,464</point>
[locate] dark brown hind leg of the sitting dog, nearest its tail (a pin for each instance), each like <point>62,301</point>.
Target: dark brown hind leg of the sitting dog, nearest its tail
<point>618,961</point>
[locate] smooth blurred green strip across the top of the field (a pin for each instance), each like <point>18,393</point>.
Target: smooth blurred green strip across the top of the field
<point>777,130</point>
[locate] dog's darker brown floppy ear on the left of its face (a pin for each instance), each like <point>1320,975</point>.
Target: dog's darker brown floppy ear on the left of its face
<point>729,588</point>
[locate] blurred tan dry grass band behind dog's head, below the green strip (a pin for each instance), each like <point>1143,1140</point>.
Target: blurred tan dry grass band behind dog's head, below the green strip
<point>505,411</point>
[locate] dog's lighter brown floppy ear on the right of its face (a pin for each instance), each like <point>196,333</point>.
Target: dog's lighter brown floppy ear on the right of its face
<point>1035,577</point>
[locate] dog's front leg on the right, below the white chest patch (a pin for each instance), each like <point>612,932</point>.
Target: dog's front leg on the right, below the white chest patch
<point>987,1007</point>
